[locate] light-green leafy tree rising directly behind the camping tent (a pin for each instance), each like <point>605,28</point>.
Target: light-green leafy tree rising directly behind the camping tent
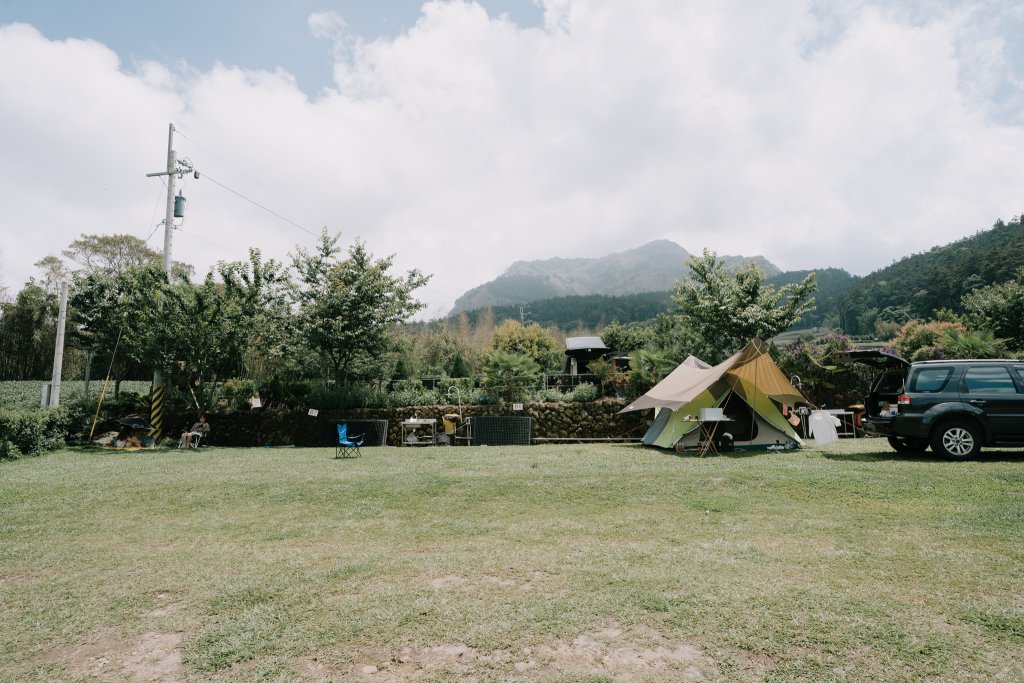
<point>726,311</point>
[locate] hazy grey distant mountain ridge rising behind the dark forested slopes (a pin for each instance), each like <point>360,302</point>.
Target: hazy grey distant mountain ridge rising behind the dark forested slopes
<point>655,267</point>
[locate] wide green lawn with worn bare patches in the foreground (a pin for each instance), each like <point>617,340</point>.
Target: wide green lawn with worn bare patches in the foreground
<point>542,564</point>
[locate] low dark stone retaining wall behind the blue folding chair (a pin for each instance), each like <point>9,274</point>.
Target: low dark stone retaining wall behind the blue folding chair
<point>551,421</point>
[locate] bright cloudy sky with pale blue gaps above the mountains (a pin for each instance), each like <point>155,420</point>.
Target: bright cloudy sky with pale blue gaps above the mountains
<point>461,137</point>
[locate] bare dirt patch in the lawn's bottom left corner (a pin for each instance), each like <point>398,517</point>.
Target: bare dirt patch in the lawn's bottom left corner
<point>153,657</point>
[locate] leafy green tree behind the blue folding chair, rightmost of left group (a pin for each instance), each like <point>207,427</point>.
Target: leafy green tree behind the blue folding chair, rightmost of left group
<point>347,307</point>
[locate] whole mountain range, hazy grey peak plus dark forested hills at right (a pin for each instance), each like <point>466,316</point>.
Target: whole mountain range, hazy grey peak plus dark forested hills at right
<point>637,285</point>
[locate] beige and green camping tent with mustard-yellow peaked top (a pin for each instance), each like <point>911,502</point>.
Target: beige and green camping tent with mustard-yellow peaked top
<point>749,388</point>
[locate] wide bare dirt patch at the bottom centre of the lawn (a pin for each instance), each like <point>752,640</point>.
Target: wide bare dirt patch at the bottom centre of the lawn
<point>623,655</point>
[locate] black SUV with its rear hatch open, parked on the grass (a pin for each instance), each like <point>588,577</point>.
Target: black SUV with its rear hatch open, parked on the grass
<point>956,407</point>
